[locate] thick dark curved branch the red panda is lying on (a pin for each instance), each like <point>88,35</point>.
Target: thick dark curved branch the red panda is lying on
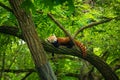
<point>104,68</point>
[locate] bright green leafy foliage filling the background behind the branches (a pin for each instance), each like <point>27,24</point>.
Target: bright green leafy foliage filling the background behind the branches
<point>103,39</point>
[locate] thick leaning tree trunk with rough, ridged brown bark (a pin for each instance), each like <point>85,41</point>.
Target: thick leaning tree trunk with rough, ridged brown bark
<point>30,36</point>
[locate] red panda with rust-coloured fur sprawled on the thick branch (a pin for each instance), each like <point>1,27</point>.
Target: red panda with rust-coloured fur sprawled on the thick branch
<point>65,41</point>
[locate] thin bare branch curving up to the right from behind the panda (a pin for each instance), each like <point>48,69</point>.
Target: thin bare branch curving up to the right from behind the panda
<point>91,25</point>
